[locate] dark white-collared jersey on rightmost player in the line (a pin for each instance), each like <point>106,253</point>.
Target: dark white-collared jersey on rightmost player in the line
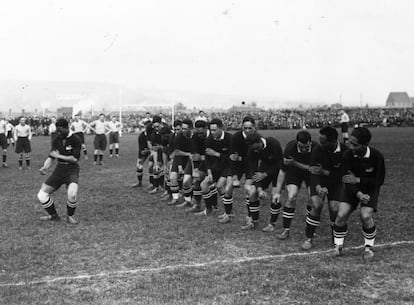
<point>370,169</point>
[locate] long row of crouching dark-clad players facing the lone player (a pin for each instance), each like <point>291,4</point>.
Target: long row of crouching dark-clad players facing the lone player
<point>200,162</point>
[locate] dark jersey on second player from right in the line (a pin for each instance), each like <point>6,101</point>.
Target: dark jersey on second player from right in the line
<point>329,160</point>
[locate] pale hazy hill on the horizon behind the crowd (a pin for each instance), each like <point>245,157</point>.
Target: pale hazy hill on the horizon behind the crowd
<point>39,95</point>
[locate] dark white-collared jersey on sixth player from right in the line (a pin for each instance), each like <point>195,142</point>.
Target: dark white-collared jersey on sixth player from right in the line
<point>222,146</point>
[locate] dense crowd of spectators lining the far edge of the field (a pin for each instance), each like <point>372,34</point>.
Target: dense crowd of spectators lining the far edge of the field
<point>266,119</point>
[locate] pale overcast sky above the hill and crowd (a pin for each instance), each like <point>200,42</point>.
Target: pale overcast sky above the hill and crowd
<point>290,50</point>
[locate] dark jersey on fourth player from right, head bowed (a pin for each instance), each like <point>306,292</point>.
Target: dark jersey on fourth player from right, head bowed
<point>267,160</point>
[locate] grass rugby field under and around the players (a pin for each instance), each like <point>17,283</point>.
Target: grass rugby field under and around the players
<point>130,248</point>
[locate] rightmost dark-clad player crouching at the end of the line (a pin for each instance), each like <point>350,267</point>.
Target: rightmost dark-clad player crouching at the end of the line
<point>364,170</point>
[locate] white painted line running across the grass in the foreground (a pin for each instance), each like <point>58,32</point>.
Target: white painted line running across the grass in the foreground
<point>50,280</point>
